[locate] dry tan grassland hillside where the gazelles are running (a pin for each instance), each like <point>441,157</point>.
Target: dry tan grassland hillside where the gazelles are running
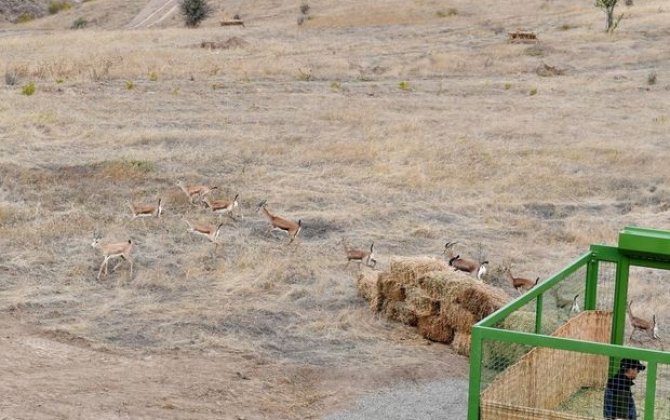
<point>404,123</point>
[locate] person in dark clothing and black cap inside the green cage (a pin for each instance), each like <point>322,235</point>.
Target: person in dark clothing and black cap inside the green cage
<point>619,402</point>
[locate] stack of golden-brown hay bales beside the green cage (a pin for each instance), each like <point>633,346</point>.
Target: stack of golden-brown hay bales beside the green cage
<point>425,292</point>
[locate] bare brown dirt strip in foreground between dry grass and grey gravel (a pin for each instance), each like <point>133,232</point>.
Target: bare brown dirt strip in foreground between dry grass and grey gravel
<point>48,377</point>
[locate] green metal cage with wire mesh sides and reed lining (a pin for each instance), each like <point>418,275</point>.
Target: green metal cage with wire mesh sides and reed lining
<point>549,353</point>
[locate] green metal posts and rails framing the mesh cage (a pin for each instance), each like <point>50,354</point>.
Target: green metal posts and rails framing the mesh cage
<point>638,247</point>
